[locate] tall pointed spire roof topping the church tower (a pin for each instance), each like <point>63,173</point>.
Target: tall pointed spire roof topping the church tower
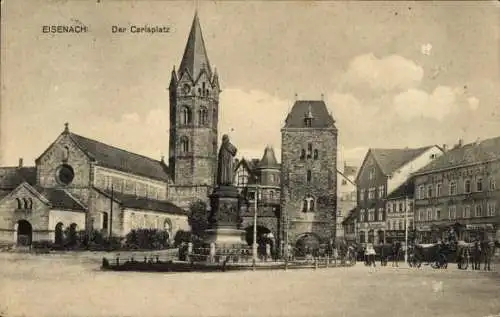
<point>195,57</point>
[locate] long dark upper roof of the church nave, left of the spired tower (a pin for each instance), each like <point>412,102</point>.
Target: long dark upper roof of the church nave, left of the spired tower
<point>122,160</point>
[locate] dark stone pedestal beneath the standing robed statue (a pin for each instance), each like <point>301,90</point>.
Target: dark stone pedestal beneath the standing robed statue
<point>225,219</point>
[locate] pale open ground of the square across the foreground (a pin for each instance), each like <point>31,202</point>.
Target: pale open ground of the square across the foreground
<point>72,286</point>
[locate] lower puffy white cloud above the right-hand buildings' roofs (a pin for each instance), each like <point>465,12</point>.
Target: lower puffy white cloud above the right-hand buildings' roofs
<point>418,103</point>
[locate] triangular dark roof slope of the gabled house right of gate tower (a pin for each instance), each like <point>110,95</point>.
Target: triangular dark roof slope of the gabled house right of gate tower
<point>389,160</point>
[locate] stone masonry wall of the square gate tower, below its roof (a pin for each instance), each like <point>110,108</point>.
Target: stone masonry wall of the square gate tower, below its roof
<point>321,188</point>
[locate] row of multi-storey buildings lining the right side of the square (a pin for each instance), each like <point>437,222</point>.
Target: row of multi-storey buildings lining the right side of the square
<point>431,190</point>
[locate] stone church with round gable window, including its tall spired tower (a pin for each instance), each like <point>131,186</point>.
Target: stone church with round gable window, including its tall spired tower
<point>79,183</point>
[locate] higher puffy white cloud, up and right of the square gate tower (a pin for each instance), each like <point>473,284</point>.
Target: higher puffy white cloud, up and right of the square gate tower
<point>390,73</point>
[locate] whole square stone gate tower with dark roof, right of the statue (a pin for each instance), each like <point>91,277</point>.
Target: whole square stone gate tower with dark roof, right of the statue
<point>309,178</point>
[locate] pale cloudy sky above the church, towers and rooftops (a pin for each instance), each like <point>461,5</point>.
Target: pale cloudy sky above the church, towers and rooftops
<point>393,74</point>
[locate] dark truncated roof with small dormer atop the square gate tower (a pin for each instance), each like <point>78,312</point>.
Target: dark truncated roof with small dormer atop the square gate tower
<point>316,109</point>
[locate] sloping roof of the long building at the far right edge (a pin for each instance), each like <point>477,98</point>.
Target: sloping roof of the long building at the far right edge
<point>471,153</point>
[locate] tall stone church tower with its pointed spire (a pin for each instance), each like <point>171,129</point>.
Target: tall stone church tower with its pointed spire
<point>194,109</point>
